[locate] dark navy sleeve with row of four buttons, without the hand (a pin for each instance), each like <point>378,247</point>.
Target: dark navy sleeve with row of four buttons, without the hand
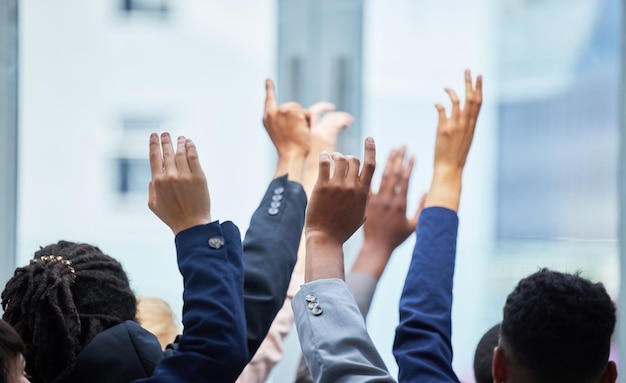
<point>270,251</point>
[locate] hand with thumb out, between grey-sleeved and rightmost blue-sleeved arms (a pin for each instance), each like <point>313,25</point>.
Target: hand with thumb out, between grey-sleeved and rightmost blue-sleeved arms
<point>387,225</point>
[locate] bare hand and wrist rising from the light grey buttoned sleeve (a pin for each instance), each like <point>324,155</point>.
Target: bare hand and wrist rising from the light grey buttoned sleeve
<point>336,210</point>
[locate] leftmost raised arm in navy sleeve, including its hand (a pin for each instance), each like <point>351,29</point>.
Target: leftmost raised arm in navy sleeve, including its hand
<point>213,344</point>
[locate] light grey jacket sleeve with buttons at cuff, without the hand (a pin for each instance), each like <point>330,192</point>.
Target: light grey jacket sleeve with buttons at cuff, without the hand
<point>333,336</point>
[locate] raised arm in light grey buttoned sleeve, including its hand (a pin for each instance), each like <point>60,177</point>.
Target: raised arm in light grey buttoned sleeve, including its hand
<point>332,333</point>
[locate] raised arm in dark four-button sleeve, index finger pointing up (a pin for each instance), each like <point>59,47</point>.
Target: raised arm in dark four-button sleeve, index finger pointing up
<point>271,243</point>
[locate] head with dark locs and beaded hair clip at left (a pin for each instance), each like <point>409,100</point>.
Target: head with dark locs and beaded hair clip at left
<point>66,295</point>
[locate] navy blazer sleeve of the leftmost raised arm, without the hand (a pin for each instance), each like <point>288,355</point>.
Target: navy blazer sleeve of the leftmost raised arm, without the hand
<point>213,345</point>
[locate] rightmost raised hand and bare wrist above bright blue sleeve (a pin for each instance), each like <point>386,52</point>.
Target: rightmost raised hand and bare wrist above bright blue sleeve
<point>454,138</point>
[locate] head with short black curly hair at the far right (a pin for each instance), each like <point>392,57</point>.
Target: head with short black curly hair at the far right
<point>558,327</point>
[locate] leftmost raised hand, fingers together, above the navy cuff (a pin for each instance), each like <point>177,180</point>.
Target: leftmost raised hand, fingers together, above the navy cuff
<point>178,191</point>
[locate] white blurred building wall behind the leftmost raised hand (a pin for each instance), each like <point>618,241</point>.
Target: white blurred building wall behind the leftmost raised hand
<point>84,66</point>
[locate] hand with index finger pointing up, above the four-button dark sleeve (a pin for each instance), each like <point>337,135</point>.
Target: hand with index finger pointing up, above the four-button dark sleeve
<point>287,125</point>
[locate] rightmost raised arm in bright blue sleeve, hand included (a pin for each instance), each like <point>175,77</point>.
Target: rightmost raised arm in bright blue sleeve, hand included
<point>422,345</point>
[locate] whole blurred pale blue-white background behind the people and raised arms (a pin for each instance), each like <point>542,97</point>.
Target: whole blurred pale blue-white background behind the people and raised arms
<point>83,83</point>
